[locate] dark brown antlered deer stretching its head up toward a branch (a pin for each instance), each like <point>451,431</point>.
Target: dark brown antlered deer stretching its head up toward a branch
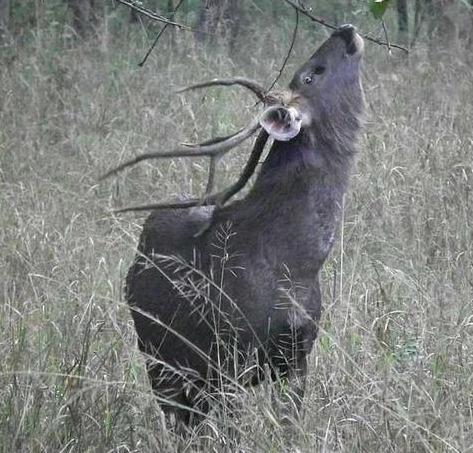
<point>215,289</point>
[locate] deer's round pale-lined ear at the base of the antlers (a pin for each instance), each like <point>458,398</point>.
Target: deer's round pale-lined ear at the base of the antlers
<point>281,123</point>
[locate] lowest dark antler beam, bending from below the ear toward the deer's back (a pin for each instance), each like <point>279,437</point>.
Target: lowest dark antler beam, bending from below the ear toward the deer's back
<point>219,198</point>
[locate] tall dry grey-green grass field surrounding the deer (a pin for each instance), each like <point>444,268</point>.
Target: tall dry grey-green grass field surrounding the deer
<point>392,369</point>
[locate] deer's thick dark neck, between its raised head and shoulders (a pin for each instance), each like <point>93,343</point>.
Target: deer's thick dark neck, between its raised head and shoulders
<point>293,210</point>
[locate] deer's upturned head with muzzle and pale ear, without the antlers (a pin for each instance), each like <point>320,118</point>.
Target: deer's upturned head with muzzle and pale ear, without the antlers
<point>322,89</point>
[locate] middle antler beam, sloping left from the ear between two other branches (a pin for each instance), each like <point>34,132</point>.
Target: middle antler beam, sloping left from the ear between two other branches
<point>212,148</point>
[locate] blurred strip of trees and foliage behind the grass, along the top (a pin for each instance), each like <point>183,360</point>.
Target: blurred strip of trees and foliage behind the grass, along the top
<point>226,21</point>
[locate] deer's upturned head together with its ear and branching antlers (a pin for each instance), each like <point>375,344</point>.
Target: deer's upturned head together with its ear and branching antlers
<point>324,91</point>
